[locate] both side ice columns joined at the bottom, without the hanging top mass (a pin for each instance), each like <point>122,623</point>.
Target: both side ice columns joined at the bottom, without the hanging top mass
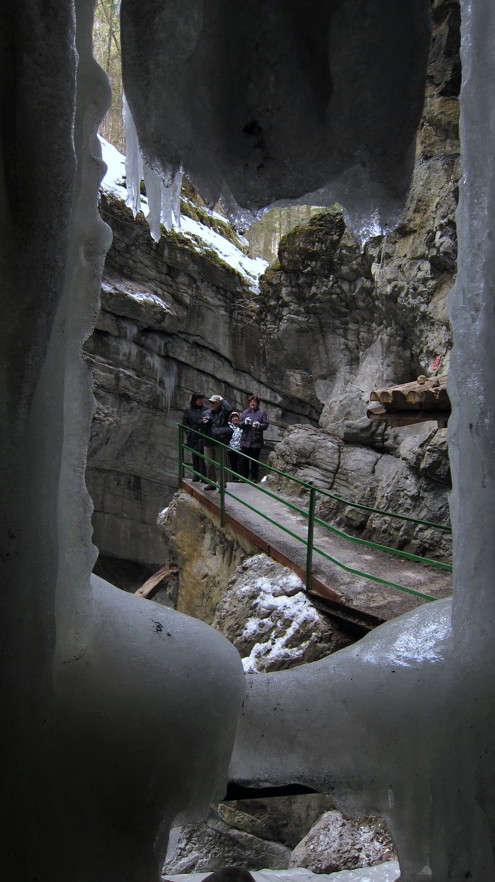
<point>432,773</point>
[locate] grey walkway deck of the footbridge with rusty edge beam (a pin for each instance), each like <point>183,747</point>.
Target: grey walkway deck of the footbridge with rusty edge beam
<point>357,598</point>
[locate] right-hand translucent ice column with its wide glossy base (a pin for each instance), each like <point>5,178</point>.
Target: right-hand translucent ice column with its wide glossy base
<point>403,723</point>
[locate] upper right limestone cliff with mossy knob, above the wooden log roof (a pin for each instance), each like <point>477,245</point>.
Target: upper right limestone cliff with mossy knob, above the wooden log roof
<point>354,318</point>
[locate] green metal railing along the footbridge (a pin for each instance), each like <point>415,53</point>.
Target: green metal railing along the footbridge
<point>308,514</point>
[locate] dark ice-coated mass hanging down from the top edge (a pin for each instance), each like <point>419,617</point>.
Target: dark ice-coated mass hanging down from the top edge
<point>236,138</point>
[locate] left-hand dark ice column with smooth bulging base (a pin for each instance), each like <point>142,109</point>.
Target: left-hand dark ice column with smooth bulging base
<point>117,715</point>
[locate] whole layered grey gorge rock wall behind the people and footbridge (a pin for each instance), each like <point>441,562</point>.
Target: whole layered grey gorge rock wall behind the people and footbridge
<point>332,320</point>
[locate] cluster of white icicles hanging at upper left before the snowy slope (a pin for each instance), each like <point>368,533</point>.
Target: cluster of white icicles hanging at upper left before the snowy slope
<point>162,191</point>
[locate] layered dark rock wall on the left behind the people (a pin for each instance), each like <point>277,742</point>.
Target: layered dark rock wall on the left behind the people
<point>172,321</point>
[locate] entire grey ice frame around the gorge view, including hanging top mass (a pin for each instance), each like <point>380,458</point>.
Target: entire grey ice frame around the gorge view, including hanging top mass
<point>118,715</point>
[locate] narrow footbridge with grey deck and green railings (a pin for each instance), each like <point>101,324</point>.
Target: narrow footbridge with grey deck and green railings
<point>352,578</point>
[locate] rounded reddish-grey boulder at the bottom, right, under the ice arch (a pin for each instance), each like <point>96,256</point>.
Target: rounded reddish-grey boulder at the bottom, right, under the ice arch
<point>337,843</point>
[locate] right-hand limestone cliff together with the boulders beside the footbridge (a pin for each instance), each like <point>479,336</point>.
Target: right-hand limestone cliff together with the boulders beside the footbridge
<point>355,318</point>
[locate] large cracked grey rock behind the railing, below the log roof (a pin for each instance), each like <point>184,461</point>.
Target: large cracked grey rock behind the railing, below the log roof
<point>413,480</point>
